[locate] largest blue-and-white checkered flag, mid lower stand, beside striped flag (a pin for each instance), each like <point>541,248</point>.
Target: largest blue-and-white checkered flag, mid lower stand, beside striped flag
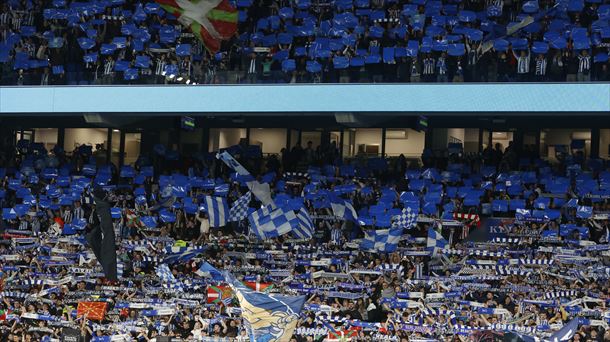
<point>268,223</point>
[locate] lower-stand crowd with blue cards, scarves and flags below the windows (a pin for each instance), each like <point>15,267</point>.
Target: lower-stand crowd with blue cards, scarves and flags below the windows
<point>372,250</point>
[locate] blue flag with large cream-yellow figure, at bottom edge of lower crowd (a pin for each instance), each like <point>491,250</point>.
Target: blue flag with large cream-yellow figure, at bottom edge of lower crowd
<point>267,317</point>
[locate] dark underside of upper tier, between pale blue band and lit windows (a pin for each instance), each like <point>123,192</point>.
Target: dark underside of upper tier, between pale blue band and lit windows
<point>310,122</point>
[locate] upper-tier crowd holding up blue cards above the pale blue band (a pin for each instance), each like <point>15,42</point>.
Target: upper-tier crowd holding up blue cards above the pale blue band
<point>128,41</point>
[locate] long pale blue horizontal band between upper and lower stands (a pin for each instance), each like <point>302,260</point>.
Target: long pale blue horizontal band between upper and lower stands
<point>485,99</point>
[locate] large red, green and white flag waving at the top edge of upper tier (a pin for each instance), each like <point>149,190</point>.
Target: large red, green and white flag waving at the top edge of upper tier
<point>210,20</point>
